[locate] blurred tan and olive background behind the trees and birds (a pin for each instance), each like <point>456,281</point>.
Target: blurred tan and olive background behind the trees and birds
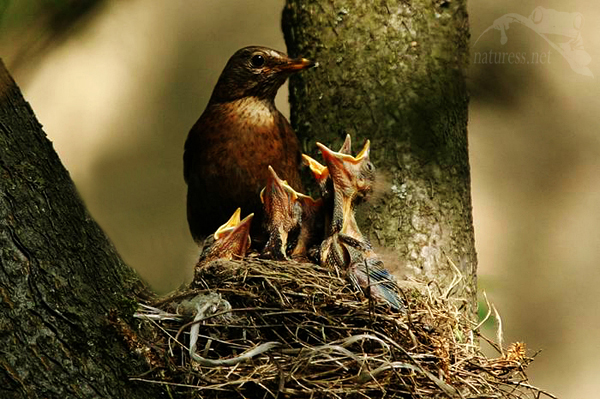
<point>118,84</point>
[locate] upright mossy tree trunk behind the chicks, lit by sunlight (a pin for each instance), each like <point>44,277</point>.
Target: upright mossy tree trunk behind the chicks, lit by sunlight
<point>394,72</point>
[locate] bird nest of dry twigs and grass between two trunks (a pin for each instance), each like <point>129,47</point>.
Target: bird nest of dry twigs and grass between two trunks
<point>261,328</point>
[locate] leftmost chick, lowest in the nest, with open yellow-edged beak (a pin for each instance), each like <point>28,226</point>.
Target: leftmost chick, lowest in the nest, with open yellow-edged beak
<point>230,241</point>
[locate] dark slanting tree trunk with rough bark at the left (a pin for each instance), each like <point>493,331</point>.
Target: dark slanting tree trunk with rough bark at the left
<point>61,280</point>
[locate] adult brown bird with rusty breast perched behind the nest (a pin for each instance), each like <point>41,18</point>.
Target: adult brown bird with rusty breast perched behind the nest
<point>240,133</point>
